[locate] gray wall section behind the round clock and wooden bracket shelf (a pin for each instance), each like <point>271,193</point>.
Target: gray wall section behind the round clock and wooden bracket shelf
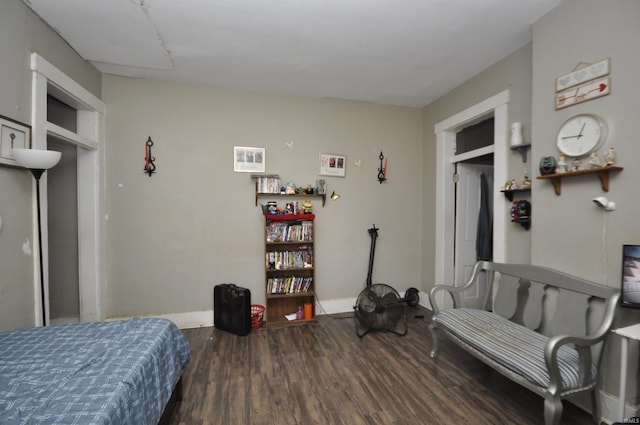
<point>582,239</point>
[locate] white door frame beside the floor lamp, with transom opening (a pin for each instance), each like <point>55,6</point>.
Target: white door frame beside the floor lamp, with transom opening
<point>89,139</point>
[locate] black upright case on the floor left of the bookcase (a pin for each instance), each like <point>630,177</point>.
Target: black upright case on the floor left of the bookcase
<point>232,308</point>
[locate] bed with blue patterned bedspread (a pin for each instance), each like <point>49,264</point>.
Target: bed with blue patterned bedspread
<point>116,373</point>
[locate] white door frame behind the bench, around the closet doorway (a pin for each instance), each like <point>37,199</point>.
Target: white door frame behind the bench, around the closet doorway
<point>496,106</point>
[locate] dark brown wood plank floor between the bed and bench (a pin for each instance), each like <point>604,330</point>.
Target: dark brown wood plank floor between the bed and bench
<point>324,374</point>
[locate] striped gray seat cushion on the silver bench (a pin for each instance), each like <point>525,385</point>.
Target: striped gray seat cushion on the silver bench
<point>516,347</point>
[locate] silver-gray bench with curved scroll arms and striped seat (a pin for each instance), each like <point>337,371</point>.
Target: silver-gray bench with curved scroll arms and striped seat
<point>546,331</point>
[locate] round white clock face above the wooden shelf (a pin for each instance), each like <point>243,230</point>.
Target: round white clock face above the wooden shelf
<point>580,135</point>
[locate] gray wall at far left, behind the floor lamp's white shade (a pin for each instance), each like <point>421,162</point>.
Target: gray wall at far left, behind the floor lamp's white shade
<point>21,33</point>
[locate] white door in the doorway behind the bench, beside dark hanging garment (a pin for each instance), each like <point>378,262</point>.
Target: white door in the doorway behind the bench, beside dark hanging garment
<point>466,227</point>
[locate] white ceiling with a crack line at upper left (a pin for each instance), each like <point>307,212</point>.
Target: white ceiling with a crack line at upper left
<point>402,52</point>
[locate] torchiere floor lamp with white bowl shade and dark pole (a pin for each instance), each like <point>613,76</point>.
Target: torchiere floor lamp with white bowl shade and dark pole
<point>38,161</point>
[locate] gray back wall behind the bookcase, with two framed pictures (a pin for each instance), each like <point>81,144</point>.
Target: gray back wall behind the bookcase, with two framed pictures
<point>194,224</point>
